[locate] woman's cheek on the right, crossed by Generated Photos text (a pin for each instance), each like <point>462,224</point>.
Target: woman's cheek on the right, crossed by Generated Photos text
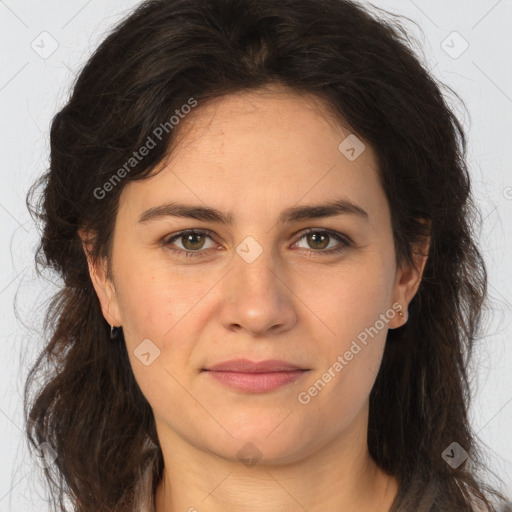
<point>358,315</point>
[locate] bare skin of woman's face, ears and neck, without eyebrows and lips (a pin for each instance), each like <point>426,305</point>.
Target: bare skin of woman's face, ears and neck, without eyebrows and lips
<point>253,154</point>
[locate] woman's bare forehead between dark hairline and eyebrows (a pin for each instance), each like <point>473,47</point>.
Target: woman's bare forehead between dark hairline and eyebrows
<point>272,148</point>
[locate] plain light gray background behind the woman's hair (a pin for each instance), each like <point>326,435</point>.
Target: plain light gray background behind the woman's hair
<point>34,84</point>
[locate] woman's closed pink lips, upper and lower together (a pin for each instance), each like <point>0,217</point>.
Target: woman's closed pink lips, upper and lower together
<point>254,377</point>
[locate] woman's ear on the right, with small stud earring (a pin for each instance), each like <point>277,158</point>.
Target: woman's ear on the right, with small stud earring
<point>408,278</point>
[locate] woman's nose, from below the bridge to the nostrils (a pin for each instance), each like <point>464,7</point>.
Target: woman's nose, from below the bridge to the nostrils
<point>256,297</point>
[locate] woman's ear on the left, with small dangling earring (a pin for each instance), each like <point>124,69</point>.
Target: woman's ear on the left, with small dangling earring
<point>103,284</point>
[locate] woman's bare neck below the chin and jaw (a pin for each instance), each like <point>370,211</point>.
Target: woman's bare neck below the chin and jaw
<point>340,475</point>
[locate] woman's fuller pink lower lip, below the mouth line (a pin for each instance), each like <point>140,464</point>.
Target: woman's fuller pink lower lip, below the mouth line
<point>257,382</point>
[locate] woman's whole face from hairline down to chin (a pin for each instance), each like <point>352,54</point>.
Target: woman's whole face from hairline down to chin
<point>264,277</point>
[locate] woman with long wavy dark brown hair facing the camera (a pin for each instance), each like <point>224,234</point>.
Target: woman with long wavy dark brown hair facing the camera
<point>263,220</point>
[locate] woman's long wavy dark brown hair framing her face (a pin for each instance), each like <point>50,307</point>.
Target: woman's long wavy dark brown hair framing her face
<point>89,408</point>
